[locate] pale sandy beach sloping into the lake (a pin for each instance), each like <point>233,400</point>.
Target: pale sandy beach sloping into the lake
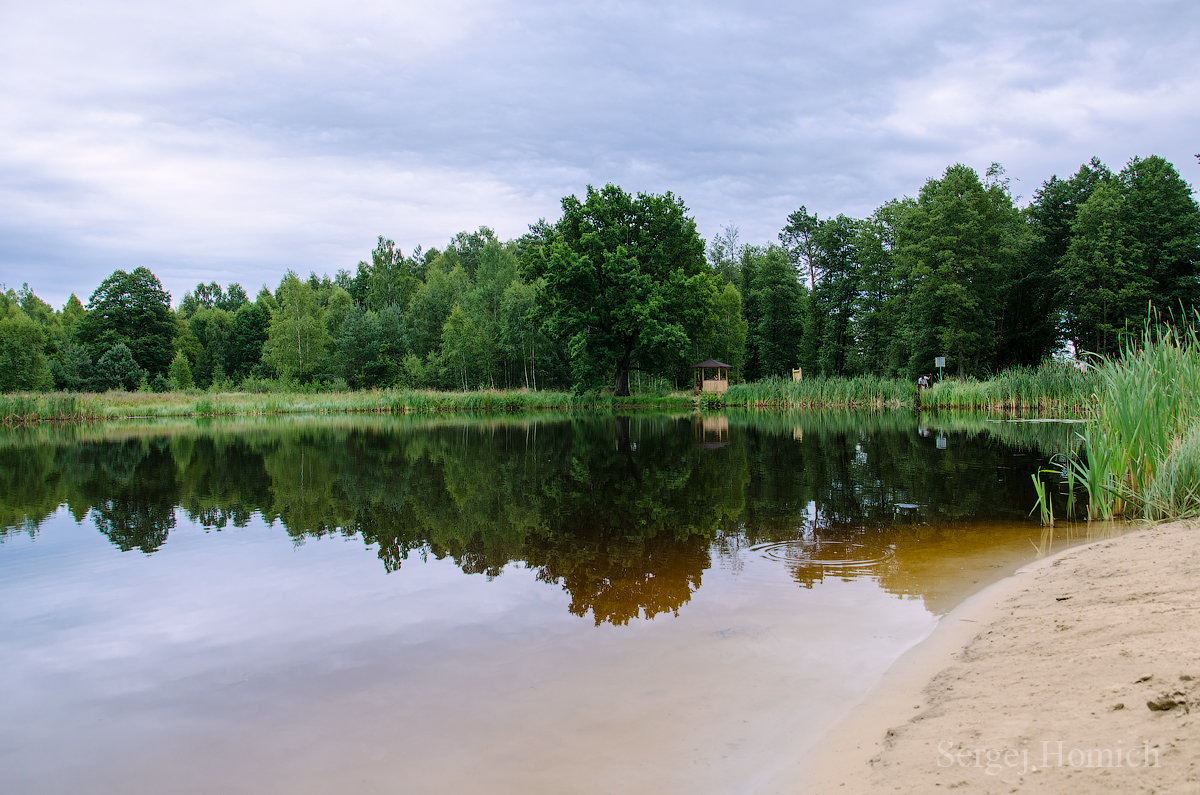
<point>1079,674</point>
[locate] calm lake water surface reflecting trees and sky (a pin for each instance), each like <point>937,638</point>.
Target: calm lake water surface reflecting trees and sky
<point>547,605</point>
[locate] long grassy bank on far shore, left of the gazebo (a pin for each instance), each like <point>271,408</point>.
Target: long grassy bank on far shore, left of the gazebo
<point>122,405</point>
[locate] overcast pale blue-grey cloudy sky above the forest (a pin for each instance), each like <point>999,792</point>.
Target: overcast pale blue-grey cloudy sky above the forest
<point>232,141</point>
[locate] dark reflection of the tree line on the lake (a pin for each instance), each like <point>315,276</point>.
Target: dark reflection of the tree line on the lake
<point>623,513</point>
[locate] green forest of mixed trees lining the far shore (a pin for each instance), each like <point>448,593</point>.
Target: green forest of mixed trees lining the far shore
<point>621,294</point>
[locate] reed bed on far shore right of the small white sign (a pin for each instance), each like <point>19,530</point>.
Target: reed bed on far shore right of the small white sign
<point>1051,387</point>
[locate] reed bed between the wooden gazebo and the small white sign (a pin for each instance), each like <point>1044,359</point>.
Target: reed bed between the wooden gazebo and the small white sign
<point>861,392</point>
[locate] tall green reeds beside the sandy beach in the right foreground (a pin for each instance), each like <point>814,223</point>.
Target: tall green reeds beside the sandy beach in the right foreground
<point>1142,451</point>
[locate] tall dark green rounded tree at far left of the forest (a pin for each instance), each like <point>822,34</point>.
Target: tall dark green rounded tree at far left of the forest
<point>135,310</point>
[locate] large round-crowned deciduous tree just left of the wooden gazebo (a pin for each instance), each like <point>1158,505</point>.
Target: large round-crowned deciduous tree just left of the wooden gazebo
<point>627,284</point>
